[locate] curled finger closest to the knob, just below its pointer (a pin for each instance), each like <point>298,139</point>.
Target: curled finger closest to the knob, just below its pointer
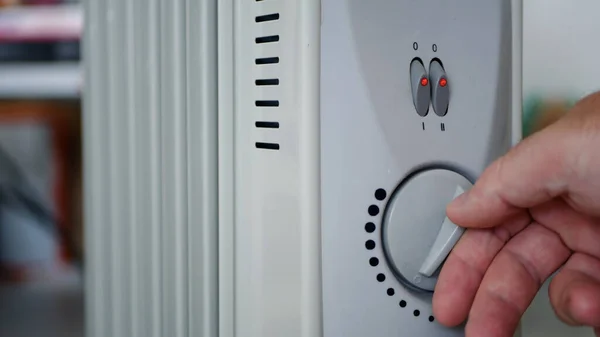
<point>464,269</point>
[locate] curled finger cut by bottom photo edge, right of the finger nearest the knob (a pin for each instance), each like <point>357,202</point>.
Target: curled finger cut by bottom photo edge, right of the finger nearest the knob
<point>512,281</point>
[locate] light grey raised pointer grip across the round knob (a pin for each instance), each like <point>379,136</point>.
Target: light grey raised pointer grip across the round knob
<point>445,241</point>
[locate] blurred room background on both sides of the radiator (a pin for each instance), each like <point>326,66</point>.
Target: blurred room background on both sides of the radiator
<point>41,290</point>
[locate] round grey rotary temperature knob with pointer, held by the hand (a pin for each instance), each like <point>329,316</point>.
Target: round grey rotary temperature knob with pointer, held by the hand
<point>417,235</point>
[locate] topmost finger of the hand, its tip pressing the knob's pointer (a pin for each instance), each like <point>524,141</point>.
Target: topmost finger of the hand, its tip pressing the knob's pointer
<point>559,160</point>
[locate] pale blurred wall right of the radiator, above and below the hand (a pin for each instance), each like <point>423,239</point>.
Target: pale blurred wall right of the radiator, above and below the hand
<point>560,53</point>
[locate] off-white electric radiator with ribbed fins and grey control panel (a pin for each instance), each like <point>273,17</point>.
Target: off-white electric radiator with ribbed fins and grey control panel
<point>203,160</point>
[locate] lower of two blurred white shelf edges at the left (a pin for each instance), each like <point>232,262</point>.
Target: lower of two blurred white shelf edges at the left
<point>40,81</point>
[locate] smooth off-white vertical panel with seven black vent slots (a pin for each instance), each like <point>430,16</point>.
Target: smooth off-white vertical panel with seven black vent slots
<point>270,246</point>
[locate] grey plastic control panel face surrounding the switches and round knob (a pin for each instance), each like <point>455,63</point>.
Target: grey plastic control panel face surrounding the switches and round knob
<point>372,138</point>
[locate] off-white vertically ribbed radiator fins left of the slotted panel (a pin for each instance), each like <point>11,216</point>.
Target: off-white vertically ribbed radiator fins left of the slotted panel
<point>150,122</point>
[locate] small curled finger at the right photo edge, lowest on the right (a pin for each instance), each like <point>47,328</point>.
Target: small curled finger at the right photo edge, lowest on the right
<point>575,291</point>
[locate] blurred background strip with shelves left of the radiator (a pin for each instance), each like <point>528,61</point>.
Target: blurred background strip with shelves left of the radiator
<point>40,168</point>
